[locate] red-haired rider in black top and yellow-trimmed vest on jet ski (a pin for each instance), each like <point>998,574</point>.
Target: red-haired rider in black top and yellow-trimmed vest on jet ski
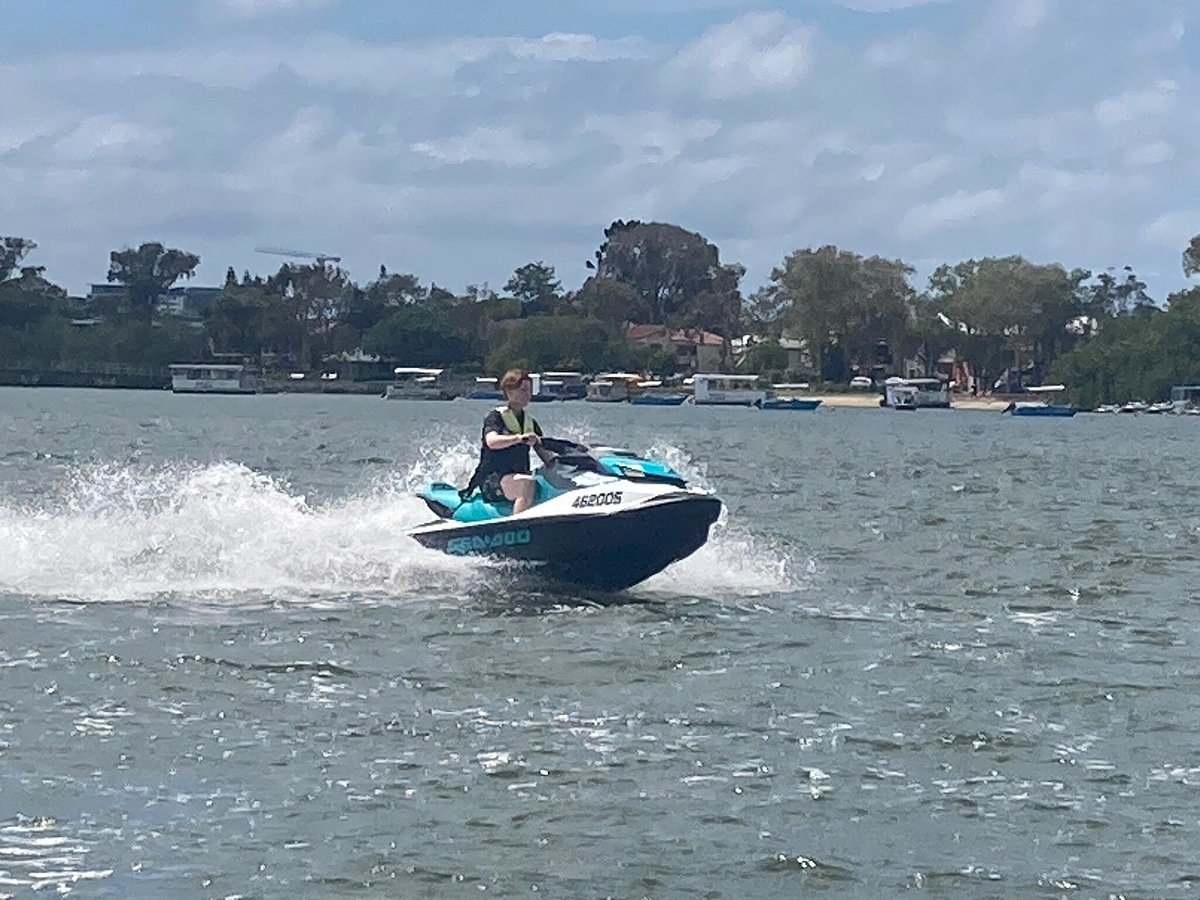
<point>509,431</point>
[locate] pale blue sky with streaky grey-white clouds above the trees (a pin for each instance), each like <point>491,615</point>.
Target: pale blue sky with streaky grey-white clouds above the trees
<point>461,140</point>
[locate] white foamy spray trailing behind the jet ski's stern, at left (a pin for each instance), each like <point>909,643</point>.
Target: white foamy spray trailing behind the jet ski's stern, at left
<point>127,533</point>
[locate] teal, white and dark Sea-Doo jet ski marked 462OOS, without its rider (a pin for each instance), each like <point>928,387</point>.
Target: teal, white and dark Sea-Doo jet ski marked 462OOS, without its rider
<point>603,518</point>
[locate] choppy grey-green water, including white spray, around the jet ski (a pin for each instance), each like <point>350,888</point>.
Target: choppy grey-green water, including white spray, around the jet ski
<point>949,652</point>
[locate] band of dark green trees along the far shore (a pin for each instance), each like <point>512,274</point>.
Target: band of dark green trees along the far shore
<point>1011,321</point>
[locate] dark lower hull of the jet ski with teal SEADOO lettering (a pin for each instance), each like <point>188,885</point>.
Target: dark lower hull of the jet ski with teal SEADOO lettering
<point>609,551</point>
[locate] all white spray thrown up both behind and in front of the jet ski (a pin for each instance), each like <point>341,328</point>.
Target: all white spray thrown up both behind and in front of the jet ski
<point>224,532</point>
